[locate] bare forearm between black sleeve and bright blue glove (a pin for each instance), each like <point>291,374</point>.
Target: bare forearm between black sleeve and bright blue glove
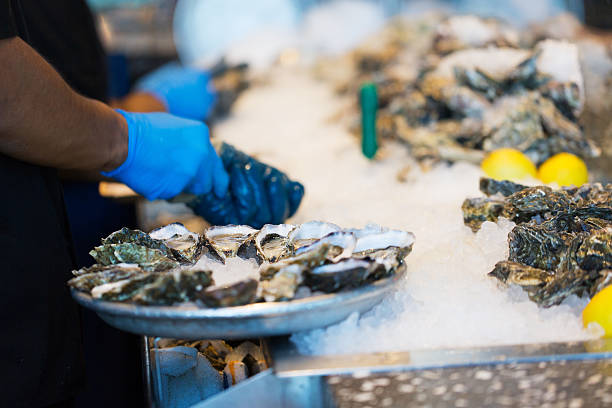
<point>44,122</point>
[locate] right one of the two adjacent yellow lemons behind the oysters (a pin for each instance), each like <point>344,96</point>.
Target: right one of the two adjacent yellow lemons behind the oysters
<point>565,169</point>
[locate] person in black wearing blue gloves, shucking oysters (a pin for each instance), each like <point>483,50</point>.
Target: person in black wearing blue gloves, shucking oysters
<point>53,116</point>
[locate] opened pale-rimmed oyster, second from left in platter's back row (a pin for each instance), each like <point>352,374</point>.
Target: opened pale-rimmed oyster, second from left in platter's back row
<point>230,239</point>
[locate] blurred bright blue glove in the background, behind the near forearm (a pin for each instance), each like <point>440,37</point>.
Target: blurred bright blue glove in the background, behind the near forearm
<point>185,92</point>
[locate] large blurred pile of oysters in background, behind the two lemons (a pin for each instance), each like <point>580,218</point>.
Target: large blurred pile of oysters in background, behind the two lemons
<point>454,89</point>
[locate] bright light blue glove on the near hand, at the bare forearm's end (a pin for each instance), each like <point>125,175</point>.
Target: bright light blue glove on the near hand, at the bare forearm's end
<point>168,155</point>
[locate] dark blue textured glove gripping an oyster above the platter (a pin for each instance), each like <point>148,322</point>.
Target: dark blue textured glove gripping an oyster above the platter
<point>258,194</point>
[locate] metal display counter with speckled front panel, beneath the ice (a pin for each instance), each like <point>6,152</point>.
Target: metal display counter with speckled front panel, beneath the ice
<point>555,374</point>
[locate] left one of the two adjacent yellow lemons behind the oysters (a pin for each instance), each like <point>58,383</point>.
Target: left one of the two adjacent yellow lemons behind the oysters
<point>508,164</point>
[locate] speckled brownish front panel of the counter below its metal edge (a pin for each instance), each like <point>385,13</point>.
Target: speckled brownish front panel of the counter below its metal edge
<point>571,384</point>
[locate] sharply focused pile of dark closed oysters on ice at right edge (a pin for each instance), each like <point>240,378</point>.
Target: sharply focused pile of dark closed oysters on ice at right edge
<point>562,243</point>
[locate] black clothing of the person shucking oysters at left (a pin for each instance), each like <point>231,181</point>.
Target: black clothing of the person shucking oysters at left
<point>40,344</point>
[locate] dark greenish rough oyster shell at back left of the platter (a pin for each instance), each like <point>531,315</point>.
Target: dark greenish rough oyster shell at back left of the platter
<point>148,259</point>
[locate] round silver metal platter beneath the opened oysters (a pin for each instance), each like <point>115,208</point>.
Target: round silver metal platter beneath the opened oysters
<point>254,320</point>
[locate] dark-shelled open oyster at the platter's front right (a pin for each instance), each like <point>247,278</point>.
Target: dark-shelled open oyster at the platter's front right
<point>336,276</point>
